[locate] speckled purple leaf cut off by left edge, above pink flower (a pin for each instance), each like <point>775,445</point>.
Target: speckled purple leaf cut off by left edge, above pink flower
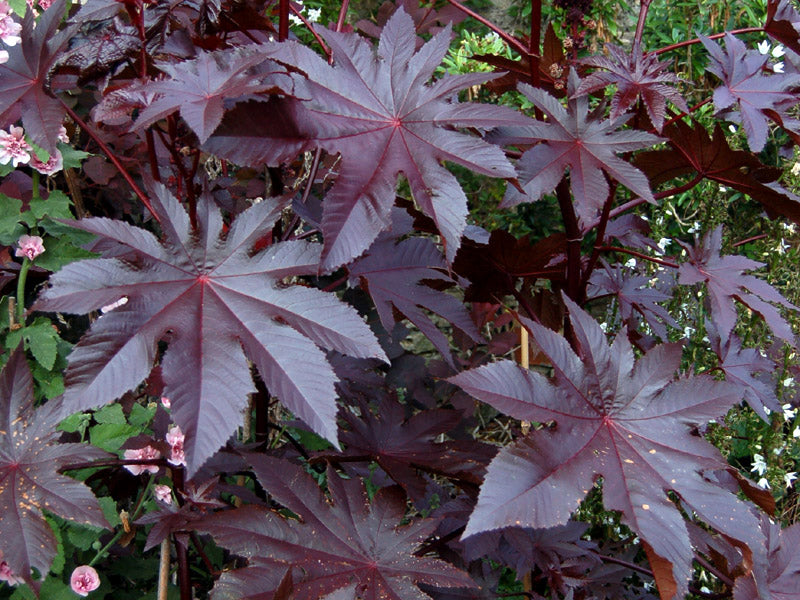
<point>30,483</point>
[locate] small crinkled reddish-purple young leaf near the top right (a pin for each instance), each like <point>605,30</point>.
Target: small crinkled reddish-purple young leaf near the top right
<point>636,75</point>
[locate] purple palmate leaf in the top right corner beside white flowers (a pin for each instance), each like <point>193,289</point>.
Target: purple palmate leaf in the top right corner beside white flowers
<point>745,85</point>
